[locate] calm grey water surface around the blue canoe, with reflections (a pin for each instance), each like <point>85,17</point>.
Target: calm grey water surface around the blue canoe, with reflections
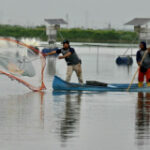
<point>78,120</point>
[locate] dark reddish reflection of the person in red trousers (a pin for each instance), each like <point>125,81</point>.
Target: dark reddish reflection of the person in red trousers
<point>143,119</point>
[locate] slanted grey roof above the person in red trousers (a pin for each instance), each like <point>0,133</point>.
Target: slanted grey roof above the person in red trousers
<point>138,21</point>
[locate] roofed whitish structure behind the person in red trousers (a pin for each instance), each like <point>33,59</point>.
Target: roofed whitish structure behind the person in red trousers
<point>142,27</point>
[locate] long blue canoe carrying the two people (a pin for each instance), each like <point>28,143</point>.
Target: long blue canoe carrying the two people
<point>61,85</point>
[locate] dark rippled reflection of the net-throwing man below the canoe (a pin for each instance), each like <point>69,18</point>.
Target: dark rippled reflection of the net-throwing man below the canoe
<point>71,115</point>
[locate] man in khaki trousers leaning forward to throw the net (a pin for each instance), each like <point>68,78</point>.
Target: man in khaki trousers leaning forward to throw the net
<point>72,59</point>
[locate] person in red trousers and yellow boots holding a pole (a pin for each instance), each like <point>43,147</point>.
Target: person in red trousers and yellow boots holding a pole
<point>144,69</point>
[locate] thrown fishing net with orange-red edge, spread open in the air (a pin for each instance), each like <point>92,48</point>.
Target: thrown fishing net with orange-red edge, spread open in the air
<point>22,63</point>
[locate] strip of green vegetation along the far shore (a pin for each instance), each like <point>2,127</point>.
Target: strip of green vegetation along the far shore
<point>74,34</point>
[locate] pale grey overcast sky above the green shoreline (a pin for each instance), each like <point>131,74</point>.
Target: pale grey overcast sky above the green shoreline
<point>86,13</point>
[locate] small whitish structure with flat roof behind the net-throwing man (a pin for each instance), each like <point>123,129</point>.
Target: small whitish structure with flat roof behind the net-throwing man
<point>53,25</point>
